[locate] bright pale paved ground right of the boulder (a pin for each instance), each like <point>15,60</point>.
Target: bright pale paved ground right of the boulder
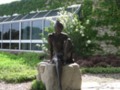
<point>101,81</point>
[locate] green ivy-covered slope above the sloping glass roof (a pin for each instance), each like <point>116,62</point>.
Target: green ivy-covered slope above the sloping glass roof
<point>25,6</point>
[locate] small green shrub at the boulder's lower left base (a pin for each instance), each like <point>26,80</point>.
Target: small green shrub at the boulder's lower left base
<point>37,85</point>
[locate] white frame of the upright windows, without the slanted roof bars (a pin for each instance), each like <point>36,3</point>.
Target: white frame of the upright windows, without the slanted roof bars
<point>24,41</point>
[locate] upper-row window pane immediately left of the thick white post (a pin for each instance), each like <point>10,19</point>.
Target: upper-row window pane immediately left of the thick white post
<point>15,31</point>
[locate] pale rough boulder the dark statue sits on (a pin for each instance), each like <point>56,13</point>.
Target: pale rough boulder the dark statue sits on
<point>71,76</point>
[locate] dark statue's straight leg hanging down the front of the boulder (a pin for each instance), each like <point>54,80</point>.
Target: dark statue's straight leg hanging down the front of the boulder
<point>58,65</point>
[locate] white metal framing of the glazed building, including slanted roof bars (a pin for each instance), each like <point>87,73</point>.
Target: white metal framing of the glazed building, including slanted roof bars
<point>24,20</point>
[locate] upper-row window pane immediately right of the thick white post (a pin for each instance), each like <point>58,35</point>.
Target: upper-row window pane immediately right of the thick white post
<point>25,30</point>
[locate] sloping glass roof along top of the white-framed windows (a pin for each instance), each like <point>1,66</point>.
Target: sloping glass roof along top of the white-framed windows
<point>39,14</point>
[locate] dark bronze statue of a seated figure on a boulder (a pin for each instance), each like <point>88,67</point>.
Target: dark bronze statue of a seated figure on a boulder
<point>60,47</point>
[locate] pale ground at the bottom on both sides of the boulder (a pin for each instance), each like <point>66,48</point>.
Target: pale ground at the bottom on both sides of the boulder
<point>89,82</point>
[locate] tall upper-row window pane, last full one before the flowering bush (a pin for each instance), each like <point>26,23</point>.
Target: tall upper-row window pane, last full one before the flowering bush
<point>36,29</point>
